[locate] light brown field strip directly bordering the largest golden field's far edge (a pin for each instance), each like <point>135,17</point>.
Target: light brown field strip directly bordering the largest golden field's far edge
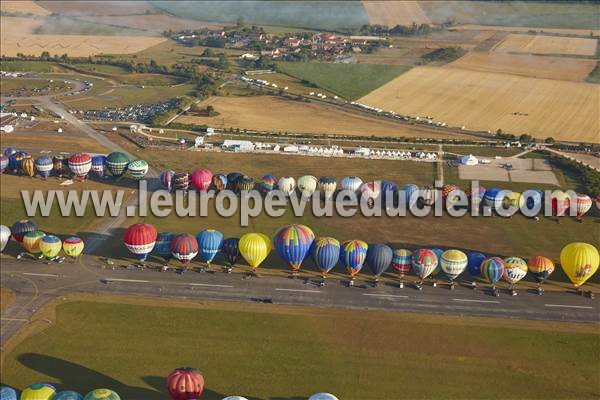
<point>548,67</point>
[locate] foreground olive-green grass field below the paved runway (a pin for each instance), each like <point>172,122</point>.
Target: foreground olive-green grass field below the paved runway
<point>366,355</point>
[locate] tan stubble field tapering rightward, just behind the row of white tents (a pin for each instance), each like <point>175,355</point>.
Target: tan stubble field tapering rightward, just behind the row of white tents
<point>269,113</point>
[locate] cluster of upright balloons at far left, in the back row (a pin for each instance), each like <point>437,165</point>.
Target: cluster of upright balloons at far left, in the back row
<point>79,165</point>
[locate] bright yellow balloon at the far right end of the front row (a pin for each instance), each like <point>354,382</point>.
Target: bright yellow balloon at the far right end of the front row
<point>579,261</point>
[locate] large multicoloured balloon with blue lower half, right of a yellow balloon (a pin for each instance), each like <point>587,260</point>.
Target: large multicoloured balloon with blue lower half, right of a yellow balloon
<point>292,243</point>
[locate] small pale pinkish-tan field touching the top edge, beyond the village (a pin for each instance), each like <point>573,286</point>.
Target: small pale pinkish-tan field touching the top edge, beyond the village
<point>392,13</point>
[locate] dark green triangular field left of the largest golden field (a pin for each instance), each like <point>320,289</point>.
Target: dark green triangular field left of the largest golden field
<point>350,81</point>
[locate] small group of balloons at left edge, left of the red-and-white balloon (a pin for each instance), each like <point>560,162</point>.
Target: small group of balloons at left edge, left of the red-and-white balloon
<point>37,243</point>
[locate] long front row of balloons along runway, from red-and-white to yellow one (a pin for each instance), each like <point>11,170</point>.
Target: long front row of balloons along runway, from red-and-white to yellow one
<point>295,243</point>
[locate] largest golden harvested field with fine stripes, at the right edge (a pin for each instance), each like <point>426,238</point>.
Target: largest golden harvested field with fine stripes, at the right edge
<point>489,101</point>
